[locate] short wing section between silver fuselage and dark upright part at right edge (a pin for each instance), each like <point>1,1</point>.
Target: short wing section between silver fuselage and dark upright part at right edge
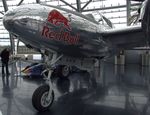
<point>125,38</point>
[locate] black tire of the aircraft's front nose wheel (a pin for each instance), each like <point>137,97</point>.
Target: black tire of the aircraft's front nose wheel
<point>40,92</point>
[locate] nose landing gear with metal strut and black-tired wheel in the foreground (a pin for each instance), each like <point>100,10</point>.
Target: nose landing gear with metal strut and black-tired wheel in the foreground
<point>43,96</point>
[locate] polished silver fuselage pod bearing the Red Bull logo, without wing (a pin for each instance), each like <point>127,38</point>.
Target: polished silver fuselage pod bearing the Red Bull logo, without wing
<point>31,24</point>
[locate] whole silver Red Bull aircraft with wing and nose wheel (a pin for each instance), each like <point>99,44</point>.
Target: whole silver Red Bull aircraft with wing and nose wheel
<point>70,38</point>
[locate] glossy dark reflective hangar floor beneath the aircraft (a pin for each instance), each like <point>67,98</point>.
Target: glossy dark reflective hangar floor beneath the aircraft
<point>116,90</point>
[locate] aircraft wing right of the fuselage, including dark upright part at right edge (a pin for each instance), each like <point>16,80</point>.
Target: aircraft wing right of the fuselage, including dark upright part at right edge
<point>133,36</point>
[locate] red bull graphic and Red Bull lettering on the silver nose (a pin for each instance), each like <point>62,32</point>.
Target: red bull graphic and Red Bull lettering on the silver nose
<point>57,19</point>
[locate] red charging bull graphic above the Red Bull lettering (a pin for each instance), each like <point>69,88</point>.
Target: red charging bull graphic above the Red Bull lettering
<point>56,18</point>
